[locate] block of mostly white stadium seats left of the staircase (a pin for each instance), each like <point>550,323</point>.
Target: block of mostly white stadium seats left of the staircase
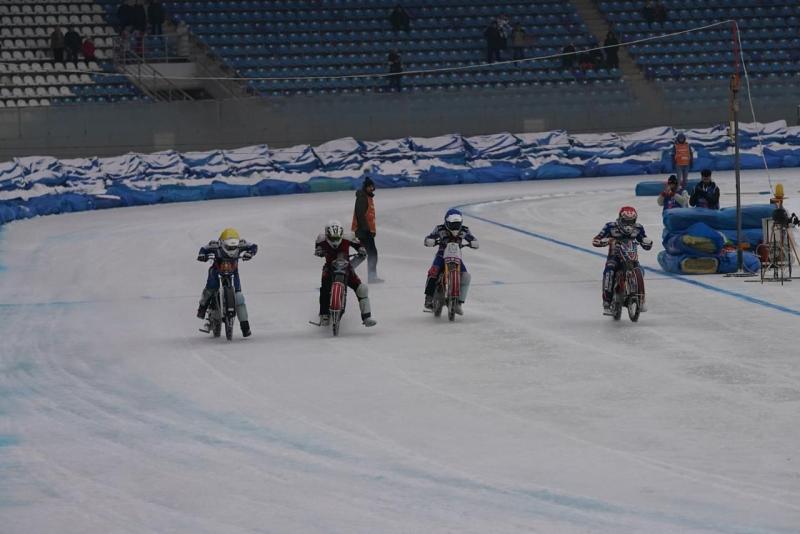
<point>29,76</point>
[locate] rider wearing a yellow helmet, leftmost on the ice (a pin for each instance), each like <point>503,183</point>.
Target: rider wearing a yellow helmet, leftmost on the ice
<point>226,252</point>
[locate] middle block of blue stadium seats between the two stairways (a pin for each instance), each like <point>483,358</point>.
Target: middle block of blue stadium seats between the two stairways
<point>329,38</point>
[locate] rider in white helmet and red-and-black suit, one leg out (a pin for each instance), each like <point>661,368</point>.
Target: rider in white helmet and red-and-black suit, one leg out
<point>331,244</point>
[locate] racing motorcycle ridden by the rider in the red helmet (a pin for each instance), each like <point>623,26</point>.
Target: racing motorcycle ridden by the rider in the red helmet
<point>628,280</point>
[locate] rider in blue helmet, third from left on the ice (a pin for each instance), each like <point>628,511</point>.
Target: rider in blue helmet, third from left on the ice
<point>451,230</point>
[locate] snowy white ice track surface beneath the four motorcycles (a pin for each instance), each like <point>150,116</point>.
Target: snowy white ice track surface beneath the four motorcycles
<point>531,413</point>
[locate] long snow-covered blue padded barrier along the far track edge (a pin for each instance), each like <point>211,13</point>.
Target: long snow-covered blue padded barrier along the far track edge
<point>33,186</point>
